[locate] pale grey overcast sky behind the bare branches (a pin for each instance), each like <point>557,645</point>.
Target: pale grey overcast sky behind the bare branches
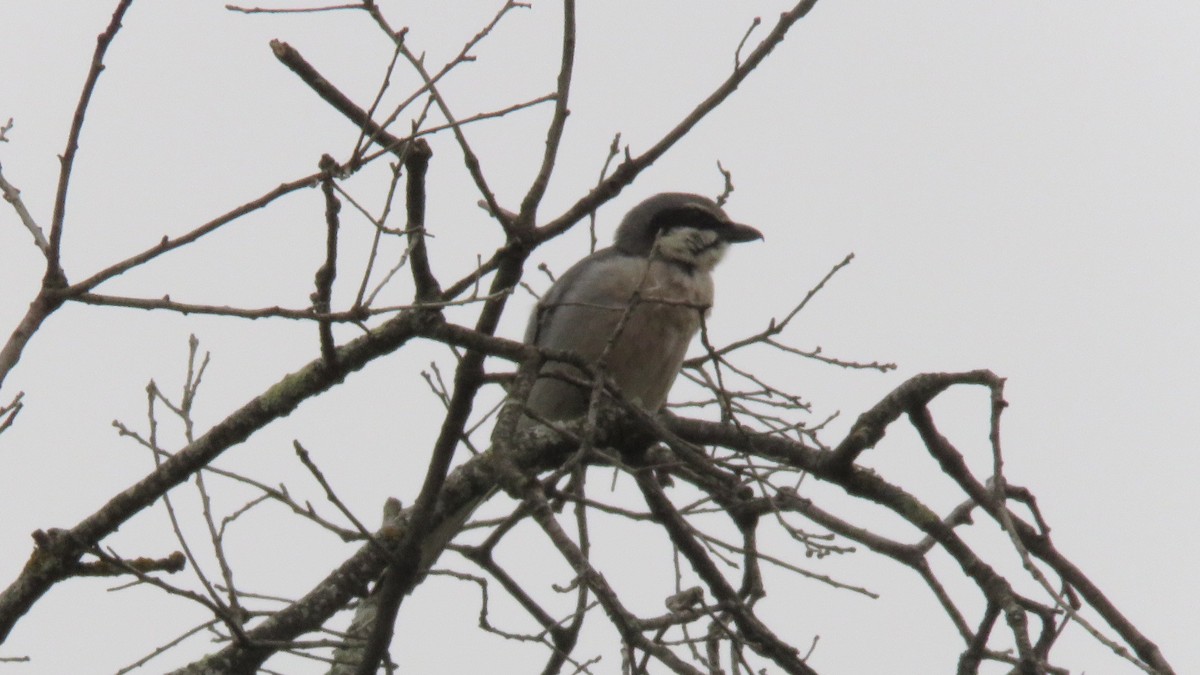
<point>1017,181</point>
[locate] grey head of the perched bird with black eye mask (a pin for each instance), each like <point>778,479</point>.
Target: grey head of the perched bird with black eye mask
<point>686,229</point>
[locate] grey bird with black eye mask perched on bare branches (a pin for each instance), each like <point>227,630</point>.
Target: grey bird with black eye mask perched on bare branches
<point>664,252</point>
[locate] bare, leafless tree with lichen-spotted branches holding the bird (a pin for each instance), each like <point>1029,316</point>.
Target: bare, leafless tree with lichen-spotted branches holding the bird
<point>718,477</point>
